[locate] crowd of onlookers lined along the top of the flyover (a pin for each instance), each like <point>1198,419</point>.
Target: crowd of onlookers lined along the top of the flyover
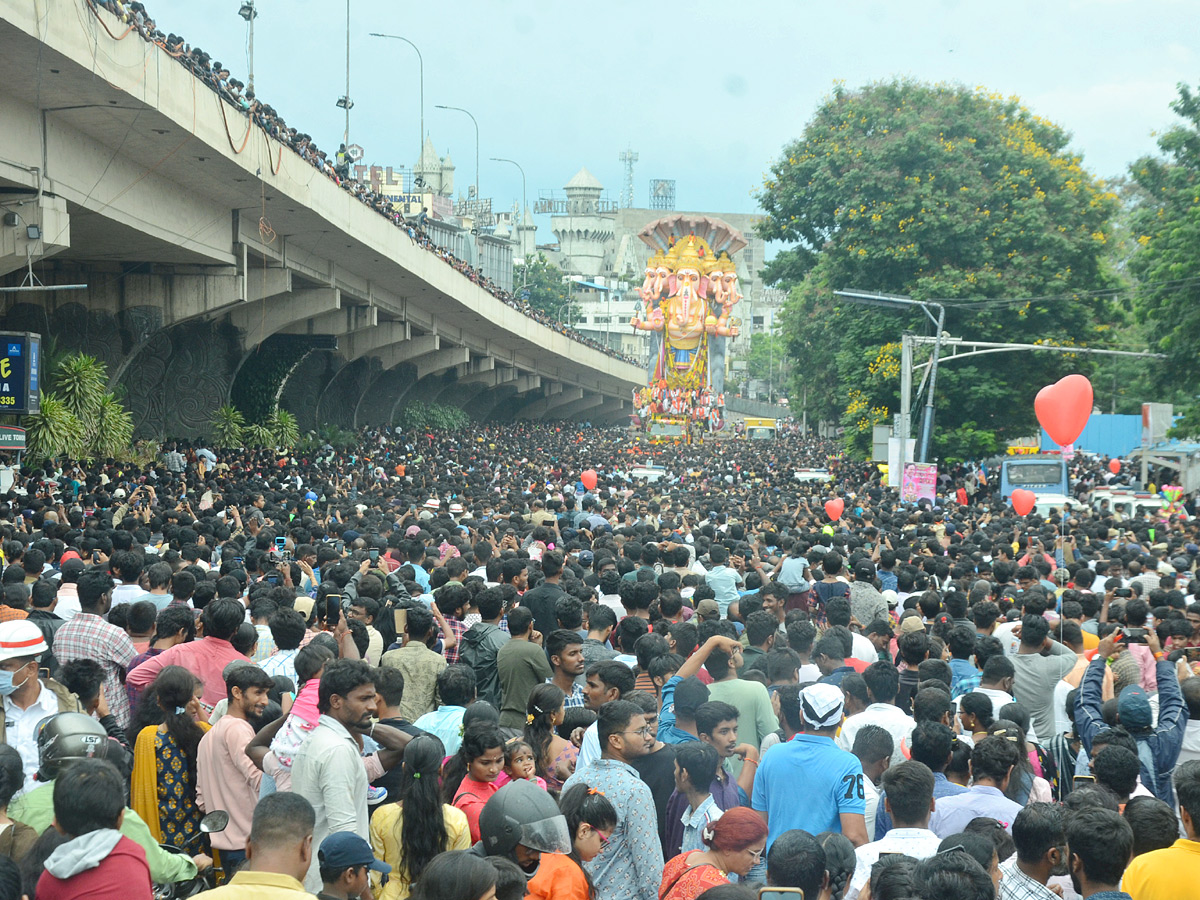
<point>233,92</point>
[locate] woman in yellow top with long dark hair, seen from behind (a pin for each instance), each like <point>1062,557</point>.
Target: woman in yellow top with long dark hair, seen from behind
<point>409,835</point>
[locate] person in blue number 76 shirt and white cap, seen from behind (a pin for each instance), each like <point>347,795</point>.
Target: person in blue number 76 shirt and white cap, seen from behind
<point>809,783</point>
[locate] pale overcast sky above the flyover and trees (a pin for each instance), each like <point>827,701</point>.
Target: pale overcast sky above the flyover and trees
<point>706,93</point>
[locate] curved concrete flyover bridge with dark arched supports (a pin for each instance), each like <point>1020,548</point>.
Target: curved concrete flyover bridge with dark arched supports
<point>219,265</point>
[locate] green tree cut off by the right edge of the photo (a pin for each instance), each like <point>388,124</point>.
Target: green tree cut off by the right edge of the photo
<point>1166,226</point>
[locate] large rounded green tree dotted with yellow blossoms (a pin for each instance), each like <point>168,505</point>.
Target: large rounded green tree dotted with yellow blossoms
<point>934,193</point>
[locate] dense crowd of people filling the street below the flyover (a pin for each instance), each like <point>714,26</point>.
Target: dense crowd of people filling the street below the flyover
<point>442,667</point>
